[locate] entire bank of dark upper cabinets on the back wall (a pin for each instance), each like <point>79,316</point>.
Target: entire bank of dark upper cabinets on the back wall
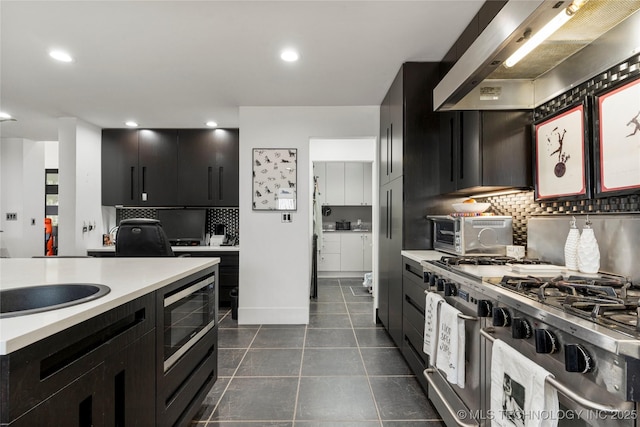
<point>170,167</point>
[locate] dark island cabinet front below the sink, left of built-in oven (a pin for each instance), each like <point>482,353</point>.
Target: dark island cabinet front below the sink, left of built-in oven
<point>100,372</point>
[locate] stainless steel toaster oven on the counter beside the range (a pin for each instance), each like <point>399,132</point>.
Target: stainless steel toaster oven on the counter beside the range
<point>475,235</point>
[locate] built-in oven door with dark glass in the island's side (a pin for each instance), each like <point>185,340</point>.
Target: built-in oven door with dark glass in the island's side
<point>189,313</point>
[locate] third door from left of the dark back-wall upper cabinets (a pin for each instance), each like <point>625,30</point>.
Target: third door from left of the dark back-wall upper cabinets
<point>196,163</point>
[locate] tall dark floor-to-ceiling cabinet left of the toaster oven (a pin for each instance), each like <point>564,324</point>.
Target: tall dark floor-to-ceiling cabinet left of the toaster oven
<point>409,136</point>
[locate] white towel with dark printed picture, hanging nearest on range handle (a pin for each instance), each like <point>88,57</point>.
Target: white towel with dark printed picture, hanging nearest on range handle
<point>520,395</point>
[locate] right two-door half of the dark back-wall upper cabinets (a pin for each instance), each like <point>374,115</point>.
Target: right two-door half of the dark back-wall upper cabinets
<point>208,167</point>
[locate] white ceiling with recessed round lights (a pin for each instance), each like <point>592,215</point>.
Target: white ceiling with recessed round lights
<point>177,64</point>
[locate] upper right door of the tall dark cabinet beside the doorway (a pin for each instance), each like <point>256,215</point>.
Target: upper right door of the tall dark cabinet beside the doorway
<point>396,113</point>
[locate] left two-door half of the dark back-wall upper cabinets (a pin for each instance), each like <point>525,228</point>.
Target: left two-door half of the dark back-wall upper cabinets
<point>139,167</point>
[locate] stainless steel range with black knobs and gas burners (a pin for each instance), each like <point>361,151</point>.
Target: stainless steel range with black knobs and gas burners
<point>582,329</point>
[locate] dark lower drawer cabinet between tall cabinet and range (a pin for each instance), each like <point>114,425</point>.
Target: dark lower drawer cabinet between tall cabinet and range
<point>413,310</point>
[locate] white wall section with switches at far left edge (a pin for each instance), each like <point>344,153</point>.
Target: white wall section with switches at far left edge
<point>22,192</point>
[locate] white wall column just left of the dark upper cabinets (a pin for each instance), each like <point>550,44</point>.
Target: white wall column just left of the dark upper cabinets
<point>79,187</point>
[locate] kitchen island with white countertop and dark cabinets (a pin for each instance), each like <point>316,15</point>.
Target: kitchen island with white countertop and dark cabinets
<point>104,362</point>
